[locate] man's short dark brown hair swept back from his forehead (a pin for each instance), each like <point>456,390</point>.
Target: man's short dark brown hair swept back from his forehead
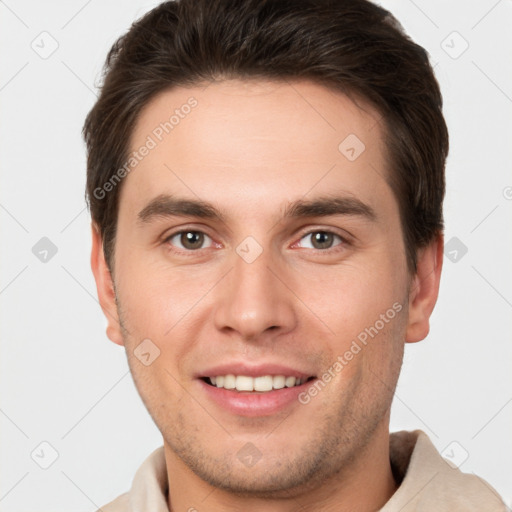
<point>351,46</point>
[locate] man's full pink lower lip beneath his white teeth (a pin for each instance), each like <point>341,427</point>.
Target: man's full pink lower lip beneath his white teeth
<point>246,403</point>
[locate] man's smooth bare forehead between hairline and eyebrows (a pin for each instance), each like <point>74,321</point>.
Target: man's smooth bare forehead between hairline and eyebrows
<point>262,142</point>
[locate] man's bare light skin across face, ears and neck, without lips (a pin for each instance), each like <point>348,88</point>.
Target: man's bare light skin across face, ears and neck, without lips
<point>251,148</point>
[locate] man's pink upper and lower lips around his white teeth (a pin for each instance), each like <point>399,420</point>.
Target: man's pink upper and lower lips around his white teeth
<point>253,404</point>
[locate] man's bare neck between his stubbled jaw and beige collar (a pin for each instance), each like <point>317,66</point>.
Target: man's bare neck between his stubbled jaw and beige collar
<point>366,485</point>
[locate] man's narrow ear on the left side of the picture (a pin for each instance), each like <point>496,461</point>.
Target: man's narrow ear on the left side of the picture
<point>105,287</point>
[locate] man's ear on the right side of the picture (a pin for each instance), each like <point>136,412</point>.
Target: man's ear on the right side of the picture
<point>424,289</point>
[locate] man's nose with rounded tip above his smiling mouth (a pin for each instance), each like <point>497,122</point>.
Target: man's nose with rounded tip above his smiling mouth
<point>254,300</point>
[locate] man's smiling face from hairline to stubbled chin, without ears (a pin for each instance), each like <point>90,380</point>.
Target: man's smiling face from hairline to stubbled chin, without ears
<point>265,290</point>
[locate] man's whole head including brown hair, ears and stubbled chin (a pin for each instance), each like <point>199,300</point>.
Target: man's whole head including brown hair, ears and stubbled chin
<point>265,181</point>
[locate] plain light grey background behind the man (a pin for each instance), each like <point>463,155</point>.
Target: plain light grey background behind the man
<point>65,384</point>
